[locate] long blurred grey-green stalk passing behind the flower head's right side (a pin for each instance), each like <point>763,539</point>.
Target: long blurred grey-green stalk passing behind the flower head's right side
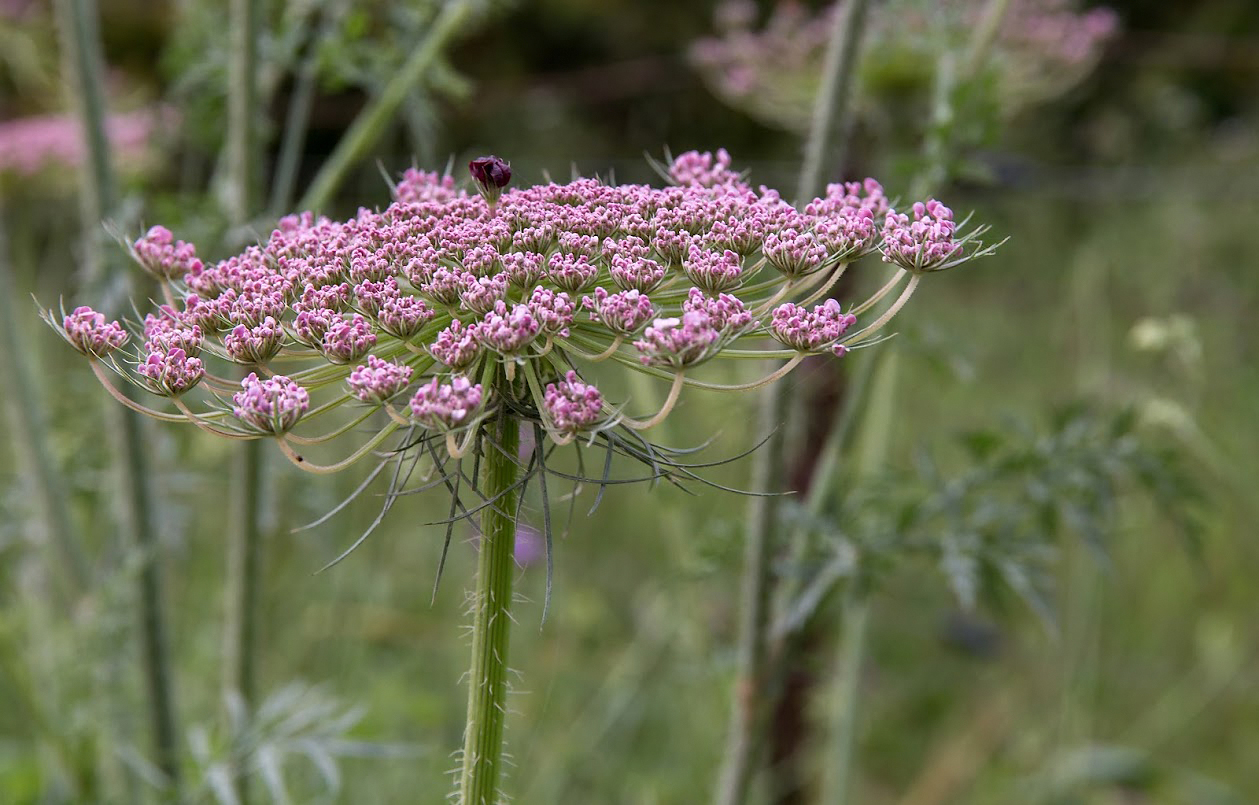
<point>752,690</point>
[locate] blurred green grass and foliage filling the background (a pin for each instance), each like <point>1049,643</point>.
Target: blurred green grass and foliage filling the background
<point>1129,284</point>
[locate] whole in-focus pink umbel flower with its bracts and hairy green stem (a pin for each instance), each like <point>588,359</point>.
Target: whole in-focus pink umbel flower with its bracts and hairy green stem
<point>463,322</point>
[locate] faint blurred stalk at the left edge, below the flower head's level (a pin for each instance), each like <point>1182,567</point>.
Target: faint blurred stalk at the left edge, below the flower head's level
<point>32,445</point>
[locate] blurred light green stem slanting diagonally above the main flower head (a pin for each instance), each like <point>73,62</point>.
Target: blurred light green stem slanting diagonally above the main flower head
<point>371,125</point>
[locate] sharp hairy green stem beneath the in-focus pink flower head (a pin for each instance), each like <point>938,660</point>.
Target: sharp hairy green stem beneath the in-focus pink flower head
<point>492,625</point>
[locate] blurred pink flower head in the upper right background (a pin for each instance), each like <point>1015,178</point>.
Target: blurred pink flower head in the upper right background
<point>1042,50</point>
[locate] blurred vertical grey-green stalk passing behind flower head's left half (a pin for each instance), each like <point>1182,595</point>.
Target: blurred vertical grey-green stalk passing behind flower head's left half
<point>245,540</point>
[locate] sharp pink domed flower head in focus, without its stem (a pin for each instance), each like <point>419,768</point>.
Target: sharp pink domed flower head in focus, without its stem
<point>443,288</point>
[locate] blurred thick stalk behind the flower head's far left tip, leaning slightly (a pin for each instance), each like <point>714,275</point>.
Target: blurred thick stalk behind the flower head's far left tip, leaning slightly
<point>81,50</point>
